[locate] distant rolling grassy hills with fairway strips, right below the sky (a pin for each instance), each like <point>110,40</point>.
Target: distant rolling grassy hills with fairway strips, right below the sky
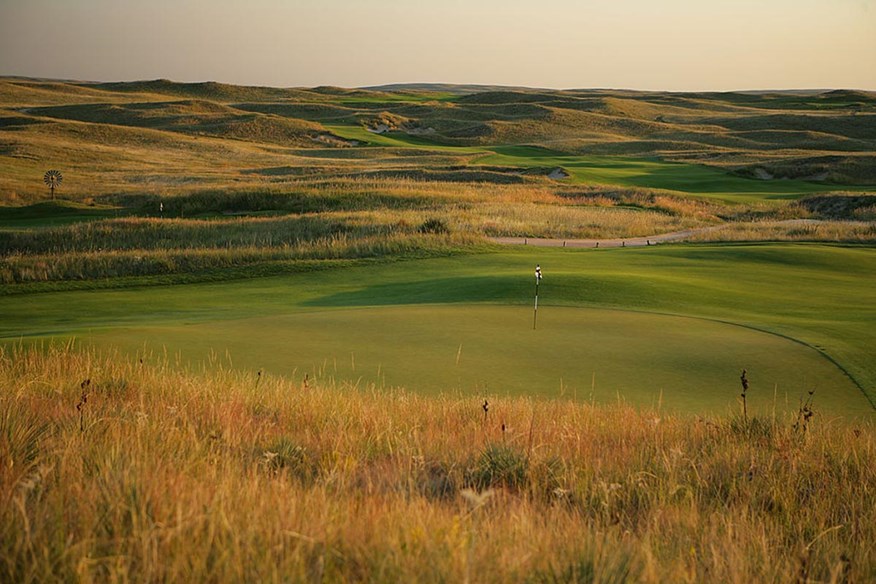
<point>787,143</point>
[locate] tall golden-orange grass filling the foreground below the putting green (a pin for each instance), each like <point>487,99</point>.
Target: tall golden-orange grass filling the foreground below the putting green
<point>228,476</point>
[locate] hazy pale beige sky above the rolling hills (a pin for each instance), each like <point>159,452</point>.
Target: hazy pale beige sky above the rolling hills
<point>637,44</point>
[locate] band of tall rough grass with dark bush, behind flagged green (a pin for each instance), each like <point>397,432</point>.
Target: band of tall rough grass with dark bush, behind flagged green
<point>330,218</point>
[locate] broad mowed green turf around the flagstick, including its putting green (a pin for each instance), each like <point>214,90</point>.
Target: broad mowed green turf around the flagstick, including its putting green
<point>677,321</point>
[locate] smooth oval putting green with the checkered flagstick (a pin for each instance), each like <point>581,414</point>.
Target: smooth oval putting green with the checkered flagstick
<point>687,364</point>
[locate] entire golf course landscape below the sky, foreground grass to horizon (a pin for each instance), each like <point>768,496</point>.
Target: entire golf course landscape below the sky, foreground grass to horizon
<point>253,334</point>
